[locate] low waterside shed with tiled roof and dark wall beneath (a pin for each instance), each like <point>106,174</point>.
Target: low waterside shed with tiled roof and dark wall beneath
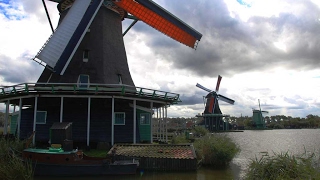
<point>158,157</point>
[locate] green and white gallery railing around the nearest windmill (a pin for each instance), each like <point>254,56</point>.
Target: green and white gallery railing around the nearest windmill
<point>86,89</point>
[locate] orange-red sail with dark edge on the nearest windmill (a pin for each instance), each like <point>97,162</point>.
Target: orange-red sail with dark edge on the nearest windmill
<point>160,19</point>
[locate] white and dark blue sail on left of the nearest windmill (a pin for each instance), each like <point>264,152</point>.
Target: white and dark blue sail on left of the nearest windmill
<point>59,50</point>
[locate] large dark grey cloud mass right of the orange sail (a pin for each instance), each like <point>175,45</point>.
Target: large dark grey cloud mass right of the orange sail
<point>230,46</point>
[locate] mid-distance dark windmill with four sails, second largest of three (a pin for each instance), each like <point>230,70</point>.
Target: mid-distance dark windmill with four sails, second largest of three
<point>212,113</point>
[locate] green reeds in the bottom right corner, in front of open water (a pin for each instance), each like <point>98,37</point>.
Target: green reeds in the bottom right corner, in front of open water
<point>283,166</point>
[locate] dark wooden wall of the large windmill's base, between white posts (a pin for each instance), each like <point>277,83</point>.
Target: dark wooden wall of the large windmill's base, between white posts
<point>75,110</point>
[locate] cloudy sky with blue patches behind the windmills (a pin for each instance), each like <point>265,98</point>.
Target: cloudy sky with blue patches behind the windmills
<point>264,50</point>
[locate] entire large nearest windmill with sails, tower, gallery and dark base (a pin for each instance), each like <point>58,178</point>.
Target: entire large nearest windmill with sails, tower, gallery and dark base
<point>87,79</point>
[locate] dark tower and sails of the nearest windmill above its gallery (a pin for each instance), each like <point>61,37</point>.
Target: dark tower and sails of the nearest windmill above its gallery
<point>88,44</point>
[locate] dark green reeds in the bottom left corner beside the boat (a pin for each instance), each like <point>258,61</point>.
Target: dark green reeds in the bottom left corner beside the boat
<point>11,165</point>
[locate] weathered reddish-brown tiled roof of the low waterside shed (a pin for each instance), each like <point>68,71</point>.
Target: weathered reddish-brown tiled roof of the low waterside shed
<point>180,151</point>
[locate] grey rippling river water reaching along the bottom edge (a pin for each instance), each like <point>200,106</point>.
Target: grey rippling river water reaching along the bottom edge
<point>251,142</point>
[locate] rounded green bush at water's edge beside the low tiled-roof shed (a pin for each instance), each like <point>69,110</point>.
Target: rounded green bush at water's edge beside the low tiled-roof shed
<point>216,150</point>
